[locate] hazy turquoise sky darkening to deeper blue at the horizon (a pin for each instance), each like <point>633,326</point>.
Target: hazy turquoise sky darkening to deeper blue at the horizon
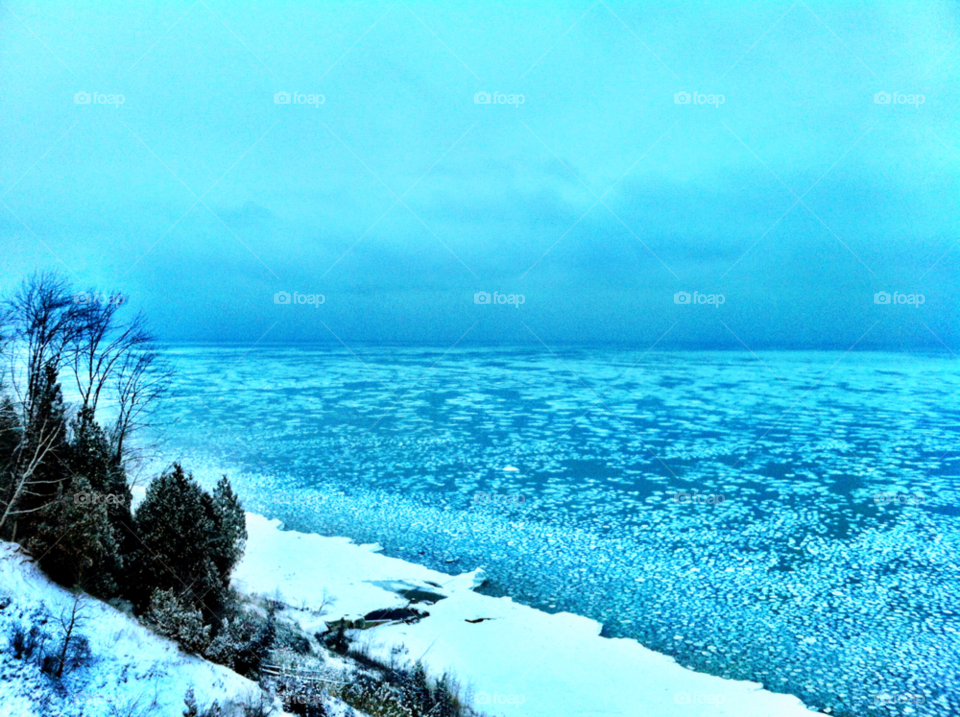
<point>744,175</point>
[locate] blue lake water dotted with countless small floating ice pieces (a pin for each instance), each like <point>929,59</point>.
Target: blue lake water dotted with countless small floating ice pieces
<point>790,518</point>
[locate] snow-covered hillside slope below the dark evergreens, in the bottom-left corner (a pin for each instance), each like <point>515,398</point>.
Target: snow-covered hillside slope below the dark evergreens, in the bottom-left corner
<point>132,671</point>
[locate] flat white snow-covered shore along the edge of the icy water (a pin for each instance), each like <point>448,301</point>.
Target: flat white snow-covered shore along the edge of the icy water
<point>516,660</point>
